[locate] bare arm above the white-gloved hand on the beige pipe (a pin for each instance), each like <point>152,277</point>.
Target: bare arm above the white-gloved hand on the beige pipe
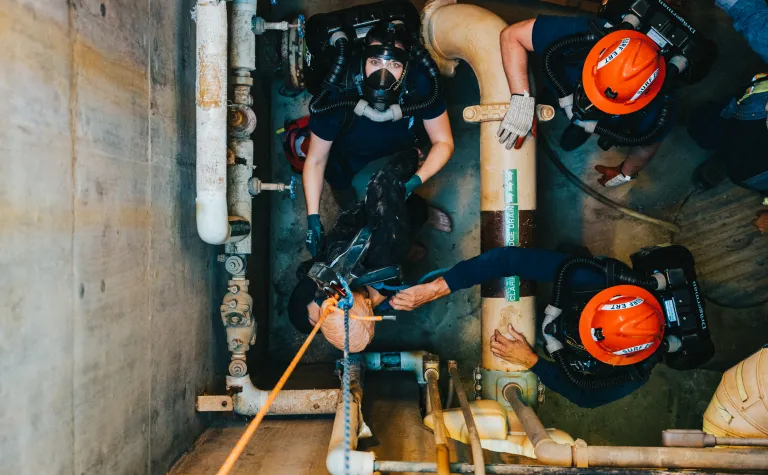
<point>516,42</point>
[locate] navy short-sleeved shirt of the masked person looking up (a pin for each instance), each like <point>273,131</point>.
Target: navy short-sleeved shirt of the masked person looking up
<point>357,141</point>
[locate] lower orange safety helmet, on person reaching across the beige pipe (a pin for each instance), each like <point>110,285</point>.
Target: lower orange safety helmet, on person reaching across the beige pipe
<point>622,325</point>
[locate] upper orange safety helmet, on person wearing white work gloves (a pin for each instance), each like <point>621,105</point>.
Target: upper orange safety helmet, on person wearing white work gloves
<point>623,72</point>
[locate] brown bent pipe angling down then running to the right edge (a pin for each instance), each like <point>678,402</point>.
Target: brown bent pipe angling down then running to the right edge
<point>550,452</point>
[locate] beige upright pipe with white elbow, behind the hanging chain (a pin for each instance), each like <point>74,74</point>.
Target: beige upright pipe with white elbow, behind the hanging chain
<point>360,463</point>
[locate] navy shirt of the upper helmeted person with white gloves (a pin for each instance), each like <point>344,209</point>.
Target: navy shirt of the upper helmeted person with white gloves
<point>548,29</point>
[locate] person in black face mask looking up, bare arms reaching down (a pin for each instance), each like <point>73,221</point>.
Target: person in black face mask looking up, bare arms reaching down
<point>379,92</point>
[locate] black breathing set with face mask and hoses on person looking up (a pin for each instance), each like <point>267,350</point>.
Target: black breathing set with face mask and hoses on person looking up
<point>386,31</point>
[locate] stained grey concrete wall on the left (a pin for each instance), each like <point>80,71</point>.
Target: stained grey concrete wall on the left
<point>105,305</point>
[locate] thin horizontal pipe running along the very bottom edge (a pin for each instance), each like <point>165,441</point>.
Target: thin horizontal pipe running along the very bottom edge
<point>386,466</point>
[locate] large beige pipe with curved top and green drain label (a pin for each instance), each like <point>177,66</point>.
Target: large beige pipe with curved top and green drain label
<point>507,177</point>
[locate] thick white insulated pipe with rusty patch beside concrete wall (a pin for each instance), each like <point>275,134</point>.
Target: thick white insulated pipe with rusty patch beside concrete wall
<point>211,122</point>
